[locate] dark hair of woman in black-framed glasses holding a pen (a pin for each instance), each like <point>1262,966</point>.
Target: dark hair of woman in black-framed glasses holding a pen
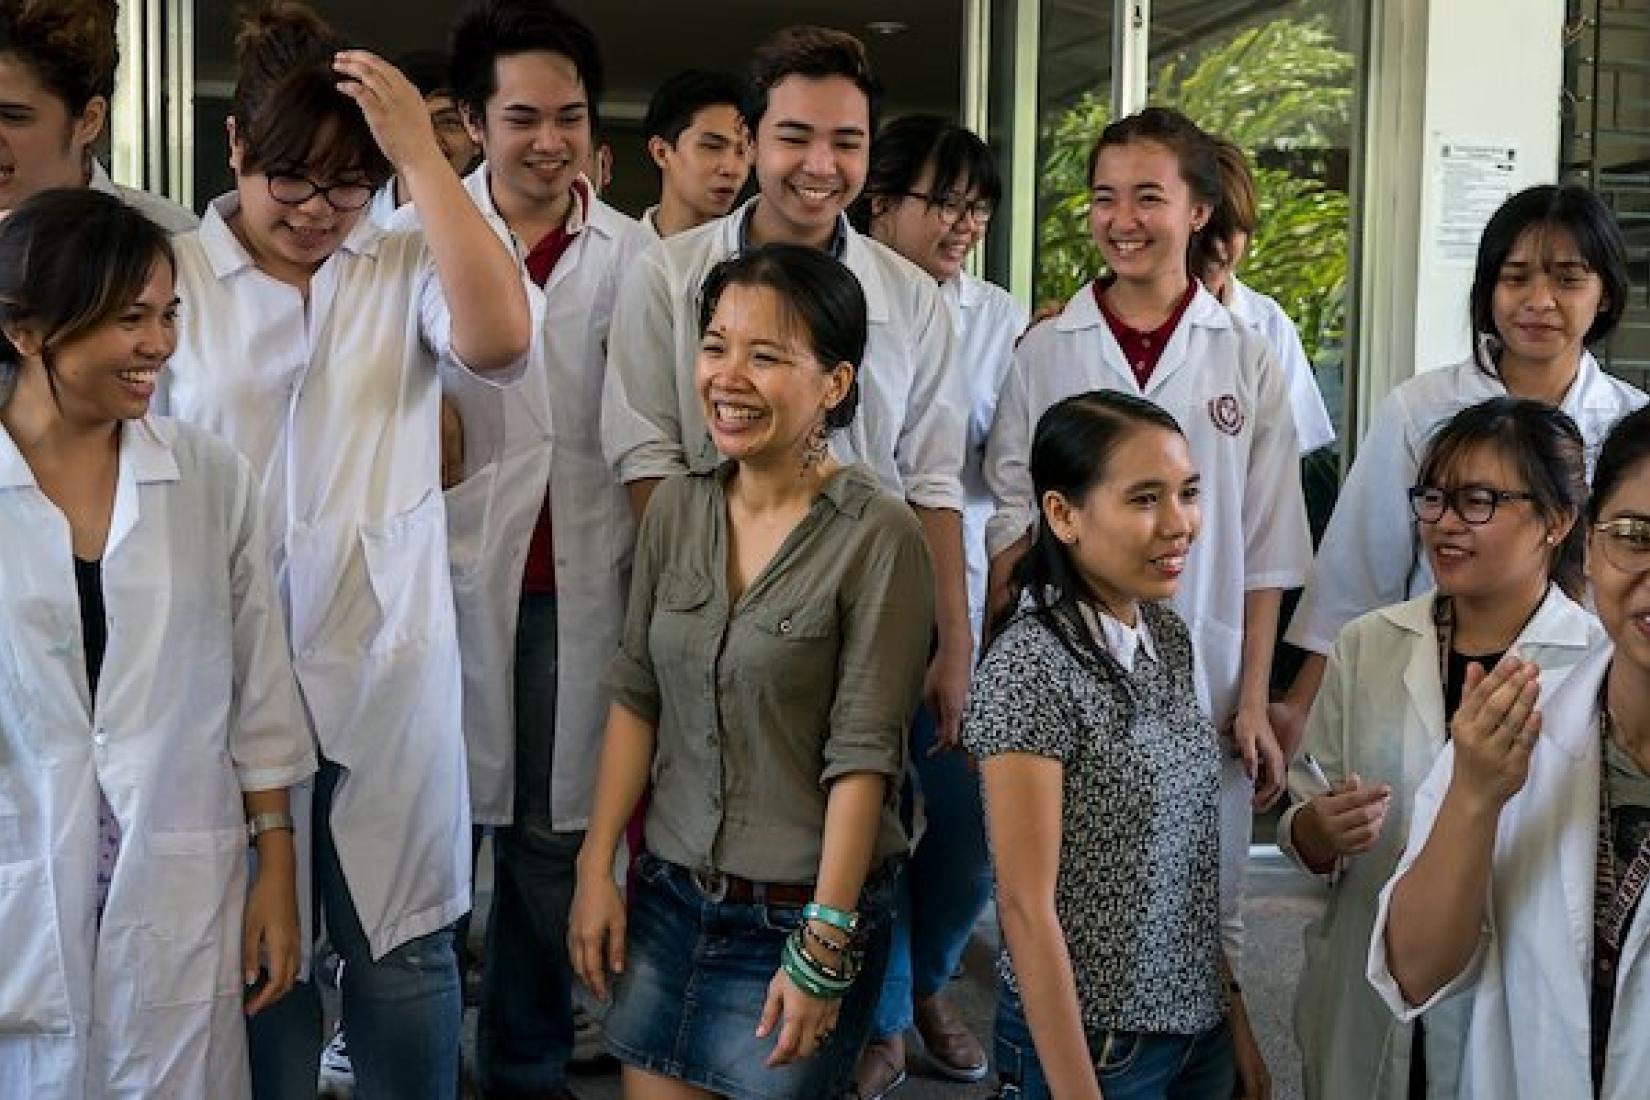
<point>1547,449</point>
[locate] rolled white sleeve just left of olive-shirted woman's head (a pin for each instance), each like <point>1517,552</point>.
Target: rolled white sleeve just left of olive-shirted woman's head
<point>641,407</point>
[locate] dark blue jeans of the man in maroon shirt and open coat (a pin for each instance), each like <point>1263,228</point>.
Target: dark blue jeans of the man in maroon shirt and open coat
<point>526,1030</point>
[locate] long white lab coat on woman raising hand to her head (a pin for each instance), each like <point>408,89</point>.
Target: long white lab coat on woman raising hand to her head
<point>336,402</point>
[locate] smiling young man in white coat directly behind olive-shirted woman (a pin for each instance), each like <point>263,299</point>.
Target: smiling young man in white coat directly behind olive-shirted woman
<point>813,111</point>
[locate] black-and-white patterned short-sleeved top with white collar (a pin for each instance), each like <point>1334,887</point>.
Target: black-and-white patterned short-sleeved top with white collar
<point>1139,855</point>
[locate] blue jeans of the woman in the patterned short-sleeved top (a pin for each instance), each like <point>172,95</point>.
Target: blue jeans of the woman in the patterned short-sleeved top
<point>1131,1065</point>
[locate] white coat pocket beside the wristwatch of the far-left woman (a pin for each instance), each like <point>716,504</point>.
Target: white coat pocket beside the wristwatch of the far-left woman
<point>192,926</point>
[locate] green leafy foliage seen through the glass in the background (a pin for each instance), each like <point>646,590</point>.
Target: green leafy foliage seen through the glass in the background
<point>1281,90</point>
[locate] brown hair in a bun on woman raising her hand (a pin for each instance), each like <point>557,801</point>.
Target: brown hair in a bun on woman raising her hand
<point>290,113</point>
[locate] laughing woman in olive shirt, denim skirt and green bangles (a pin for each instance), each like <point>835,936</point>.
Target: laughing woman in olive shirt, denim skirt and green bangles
<point>780,621</point>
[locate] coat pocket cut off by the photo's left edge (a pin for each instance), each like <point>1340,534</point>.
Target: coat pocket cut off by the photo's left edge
<point>34,985</point>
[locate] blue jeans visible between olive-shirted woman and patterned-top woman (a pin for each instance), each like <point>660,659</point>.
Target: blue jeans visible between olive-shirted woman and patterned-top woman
<point>946,883</point>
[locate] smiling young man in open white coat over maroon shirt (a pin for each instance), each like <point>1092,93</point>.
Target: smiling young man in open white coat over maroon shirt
<point>547,529</point>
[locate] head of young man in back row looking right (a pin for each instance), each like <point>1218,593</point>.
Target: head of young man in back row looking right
<point>697,139</point>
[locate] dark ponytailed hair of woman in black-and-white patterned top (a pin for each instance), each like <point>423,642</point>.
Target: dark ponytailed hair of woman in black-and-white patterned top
<point>1070,454</point>
